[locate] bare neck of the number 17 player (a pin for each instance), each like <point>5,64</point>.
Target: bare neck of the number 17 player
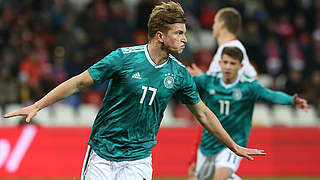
<point>158,55</point>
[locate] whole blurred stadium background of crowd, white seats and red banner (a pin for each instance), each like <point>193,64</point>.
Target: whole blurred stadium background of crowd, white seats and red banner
<point>44,42</point>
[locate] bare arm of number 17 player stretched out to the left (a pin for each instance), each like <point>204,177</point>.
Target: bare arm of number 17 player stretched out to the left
<point>66,89</point>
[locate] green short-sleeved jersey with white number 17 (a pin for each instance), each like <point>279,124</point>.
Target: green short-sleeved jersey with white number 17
<point>138,92</point>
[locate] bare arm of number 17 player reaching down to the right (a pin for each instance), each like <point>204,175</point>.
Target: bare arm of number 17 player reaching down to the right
<point>209,121</point>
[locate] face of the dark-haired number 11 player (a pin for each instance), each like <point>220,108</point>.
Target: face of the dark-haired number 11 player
<point>229,67</point>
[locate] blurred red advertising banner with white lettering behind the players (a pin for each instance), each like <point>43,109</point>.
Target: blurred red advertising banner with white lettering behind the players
<point>32,151</point>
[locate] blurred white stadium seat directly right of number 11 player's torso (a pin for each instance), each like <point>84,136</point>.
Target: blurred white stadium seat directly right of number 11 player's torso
<point>262,116</point>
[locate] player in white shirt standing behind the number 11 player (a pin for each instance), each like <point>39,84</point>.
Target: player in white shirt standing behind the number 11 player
<point>227,23</point>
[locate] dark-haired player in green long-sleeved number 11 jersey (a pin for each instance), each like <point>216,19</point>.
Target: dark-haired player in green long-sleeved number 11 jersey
<point>231,96</point>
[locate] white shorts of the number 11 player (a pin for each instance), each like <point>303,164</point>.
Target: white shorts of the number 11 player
<point>207,165</point>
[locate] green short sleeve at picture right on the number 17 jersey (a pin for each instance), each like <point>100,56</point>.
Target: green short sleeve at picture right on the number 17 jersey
<point>188,93</point>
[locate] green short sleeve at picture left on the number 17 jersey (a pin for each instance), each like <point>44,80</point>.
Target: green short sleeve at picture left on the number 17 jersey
<point>107,67</point>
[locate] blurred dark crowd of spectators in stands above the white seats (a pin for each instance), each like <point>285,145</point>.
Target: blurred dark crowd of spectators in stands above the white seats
<point>45,42</point>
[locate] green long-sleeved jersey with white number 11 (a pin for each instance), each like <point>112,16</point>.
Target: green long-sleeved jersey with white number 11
<point>233,105</point>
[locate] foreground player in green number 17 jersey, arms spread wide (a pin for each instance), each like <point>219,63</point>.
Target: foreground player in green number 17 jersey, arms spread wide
<point>142,81</point>
